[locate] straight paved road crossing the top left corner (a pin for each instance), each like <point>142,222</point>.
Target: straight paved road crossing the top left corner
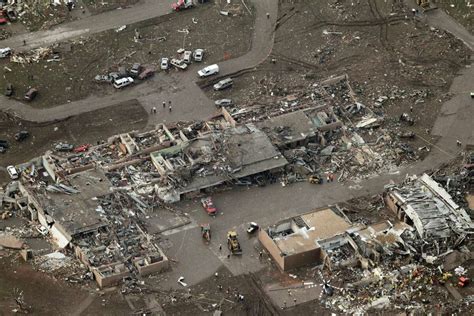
<point>145,9</point>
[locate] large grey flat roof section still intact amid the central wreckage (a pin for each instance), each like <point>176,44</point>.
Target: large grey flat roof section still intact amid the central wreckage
<point>214,158</point>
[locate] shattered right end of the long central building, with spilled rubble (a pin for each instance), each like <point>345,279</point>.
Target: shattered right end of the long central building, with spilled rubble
<point>346,136</point>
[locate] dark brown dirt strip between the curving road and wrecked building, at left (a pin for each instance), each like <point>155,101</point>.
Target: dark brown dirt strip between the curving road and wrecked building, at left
<point>85,128</point>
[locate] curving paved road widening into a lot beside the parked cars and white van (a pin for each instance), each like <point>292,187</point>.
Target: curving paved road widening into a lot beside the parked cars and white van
<point>179,87</point>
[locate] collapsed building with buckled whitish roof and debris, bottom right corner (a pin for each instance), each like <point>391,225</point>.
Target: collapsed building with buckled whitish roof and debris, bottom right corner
<point>404,266</point>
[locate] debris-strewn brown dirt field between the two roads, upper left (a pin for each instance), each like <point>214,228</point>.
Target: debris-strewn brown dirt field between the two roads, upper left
<point>72,78</point>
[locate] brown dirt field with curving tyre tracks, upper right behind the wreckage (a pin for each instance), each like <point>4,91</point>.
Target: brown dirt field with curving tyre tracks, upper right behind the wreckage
<point>384,54</point>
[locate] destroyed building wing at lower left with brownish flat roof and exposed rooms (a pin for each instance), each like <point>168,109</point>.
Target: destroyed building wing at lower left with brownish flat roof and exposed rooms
<point>81,213</point>
